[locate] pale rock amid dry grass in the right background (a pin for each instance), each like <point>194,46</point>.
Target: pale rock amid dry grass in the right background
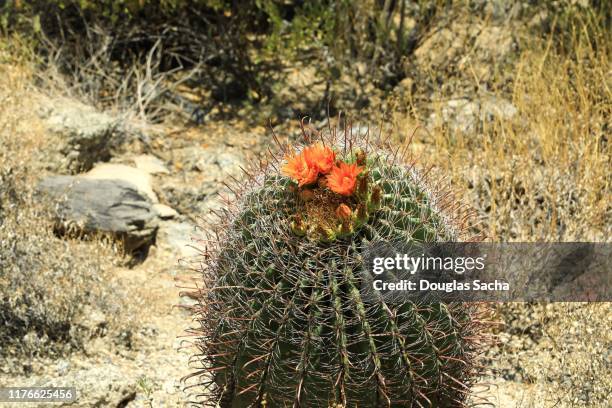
<point>464,115</point>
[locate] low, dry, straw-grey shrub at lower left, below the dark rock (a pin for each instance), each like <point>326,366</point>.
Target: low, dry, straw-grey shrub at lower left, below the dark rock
<point>54,293</point>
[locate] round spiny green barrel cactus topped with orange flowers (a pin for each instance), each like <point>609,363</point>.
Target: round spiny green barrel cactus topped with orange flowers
<point>281,318</point>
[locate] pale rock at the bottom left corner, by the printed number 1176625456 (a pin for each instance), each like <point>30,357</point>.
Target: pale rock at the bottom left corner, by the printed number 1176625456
<point>104,385</point>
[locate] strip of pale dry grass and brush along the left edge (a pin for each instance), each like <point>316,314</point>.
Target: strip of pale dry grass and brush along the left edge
<point>55,294</point>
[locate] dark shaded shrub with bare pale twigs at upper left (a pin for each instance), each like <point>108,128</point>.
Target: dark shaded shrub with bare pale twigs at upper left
<point>133,53</point>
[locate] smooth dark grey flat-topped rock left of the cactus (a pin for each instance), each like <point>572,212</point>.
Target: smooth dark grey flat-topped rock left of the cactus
<point>111,206</point>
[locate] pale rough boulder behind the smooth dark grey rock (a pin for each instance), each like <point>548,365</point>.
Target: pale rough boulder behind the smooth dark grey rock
<point>88,136</point>
